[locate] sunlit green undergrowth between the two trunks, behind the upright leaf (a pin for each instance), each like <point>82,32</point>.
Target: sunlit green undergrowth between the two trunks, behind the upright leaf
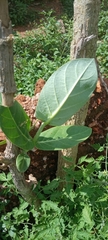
<point>40,52</point>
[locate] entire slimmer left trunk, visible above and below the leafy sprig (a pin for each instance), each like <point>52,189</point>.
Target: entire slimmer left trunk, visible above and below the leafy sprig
<point>8,88</point>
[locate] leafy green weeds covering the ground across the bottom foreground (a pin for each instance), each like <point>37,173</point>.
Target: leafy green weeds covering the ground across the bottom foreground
<point>79,213</point>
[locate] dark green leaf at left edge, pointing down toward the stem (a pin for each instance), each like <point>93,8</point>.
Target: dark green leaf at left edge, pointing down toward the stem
<point>15,123</point>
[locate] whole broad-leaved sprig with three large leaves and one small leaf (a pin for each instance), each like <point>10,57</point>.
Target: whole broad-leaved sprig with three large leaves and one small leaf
<point>66,91</point>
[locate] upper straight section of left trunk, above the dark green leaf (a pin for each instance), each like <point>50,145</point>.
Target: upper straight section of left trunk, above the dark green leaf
<point>7,84</point>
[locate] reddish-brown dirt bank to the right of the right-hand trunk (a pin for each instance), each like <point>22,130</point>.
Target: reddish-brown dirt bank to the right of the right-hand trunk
<point>97,119</point>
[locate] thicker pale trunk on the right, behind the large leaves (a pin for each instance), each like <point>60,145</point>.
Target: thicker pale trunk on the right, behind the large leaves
<point>84,44</point>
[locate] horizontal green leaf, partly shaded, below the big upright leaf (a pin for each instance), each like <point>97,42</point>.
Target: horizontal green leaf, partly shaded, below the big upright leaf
<point>62,137</point>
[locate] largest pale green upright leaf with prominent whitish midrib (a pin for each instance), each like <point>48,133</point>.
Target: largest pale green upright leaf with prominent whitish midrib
<point>66,91</point>
